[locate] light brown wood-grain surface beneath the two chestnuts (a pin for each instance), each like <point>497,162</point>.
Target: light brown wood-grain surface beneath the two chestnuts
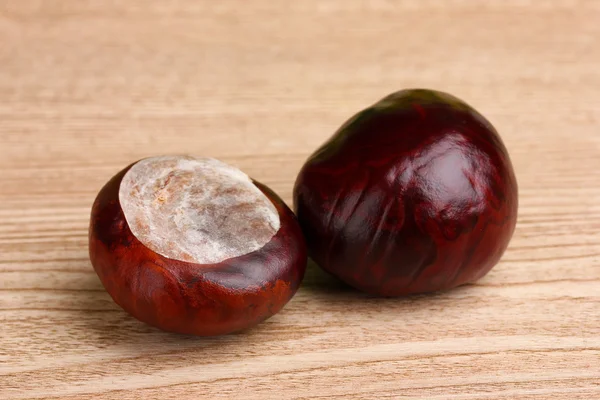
<point>88,86</point>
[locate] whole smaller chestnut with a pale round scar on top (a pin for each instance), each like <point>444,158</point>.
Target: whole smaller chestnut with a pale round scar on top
<point>193,245</point>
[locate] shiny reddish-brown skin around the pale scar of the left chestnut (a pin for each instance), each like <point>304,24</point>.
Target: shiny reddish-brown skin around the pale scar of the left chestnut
<point>199,299</point>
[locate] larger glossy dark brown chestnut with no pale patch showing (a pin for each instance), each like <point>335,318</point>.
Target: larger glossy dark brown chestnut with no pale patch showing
<point>413,194</point>
